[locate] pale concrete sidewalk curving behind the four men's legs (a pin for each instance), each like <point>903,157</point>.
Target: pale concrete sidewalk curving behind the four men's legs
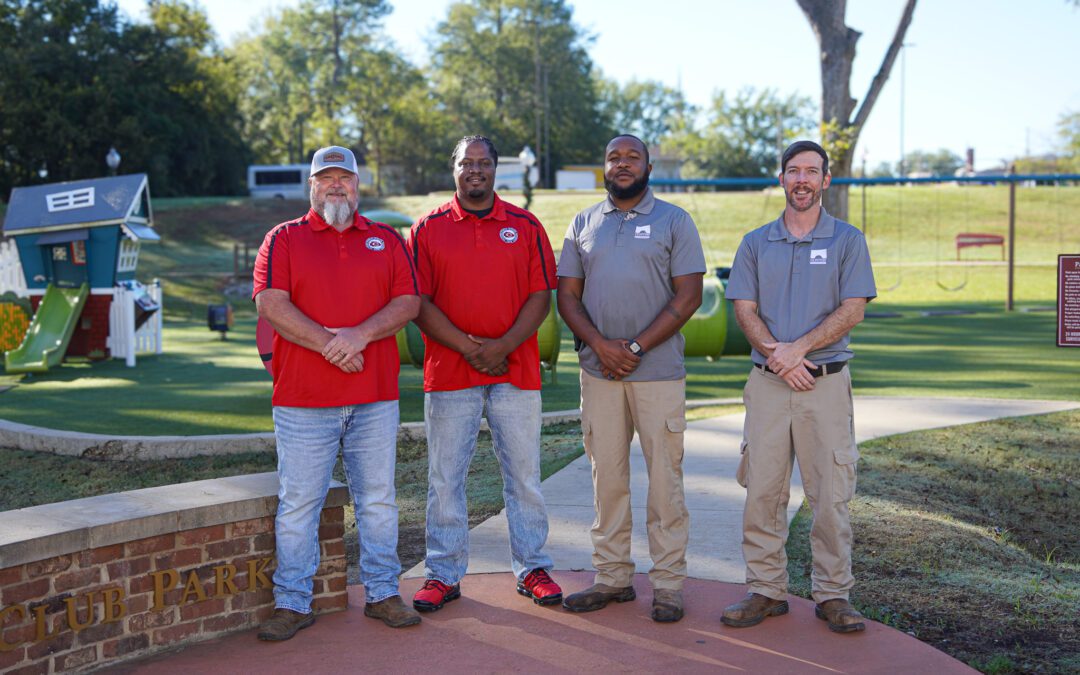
<point>713,497</point>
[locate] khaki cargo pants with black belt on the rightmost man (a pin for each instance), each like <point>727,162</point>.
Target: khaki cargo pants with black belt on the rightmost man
<point>817,428</point>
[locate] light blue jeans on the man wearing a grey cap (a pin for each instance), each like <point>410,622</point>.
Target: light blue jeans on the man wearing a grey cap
<point>308,444</point>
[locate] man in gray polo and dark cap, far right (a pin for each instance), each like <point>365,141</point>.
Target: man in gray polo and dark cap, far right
<point>800,286</point>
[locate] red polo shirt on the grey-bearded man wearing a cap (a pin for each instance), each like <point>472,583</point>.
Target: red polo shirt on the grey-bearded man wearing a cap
<point>337,280</point>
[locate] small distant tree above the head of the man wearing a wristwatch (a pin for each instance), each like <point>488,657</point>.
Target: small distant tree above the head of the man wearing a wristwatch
<point>649,110</point>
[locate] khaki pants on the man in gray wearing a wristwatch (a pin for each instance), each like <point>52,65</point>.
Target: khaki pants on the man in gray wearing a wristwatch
<point>611,412</point>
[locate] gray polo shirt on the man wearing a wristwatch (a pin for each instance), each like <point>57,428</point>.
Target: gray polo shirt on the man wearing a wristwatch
<point>628,260</point>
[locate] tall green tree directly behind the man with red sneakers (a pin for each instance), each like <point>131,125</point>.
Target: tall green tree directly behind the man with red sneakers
<point>519,73</point>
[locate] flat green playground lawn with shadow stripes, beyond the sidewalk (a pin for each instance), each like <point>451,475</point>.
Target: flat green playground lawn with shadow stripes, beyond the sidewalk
<point>202,385</point>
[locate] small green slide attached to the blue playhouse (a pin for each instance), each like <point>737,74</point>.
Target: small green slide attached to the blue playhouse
<point>50,332</point>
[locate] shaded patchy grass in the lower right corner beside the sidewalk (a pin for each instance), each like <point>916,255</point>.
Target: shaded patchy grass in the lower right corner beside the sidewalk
<point>966,538</point>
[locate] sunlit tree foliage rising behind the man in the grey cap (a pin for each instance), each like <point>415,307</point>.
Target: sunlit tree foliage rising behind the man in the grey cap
<point>319,75</point>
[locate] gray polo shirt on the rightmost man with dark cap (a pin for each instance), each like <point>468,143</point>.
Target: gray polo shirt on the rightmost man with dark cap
<point>799,282</point>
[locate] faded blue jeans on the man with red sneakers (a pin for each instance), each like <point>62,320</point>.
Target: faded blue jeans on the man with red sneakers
<point>453,424</point>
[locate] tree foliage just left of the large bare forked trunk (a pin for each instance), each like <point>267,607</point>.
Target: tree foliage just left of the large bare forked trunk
<point>742,137</point>
